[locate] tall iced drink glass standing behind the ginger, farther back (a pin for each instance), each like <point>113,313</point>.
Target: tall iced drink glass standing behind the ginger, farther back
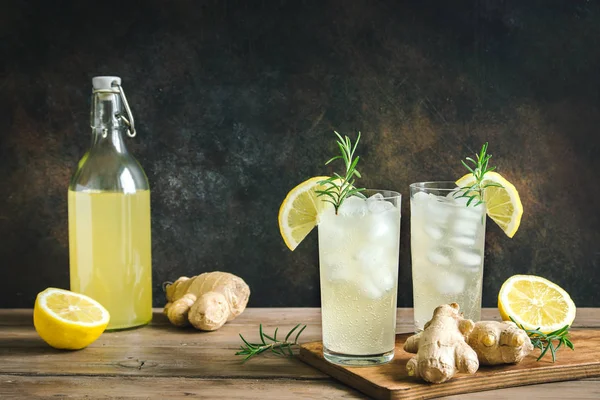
<point>447,241</point>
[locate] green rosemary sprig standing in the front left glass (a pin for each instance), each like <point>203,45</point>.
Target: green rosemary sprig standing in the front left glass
<point>339,187</point>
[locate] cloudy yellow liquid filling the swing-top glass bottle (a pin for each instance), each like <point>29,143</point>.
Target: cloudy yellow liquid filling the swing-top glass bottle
<point>110,253</point>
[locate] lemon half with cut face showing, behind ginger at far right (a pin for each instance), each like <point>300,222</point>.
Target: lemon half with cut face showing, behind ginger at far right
<point>535,302</point>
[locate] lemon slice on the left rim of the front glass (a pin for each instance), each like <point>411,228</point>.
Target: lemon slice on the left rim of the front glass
<point>299,212</point>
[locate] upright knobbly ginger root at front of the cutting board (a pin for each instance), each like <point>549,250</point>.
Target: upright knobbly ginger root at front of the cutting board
<point>441,348</point>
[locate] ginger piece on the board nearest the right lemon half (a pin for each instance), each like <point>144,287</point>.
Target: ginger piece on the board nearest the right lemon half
<point>499,342</point>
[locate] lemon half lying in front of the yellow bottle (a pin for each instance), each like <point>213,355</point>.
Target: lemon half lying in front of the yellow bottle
<point>68,320</point>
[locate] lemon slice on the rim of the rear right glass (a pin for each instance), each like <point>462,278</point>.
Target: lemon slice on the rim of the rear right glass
<point>503,204</point>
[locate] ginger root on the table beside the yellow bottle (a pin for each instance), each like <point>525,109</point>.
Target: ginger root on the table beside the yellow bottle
<point>206,301</point>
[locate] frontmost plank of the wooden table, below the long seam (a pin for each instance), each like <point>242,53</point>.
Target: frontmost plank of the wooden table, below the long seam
<point>41,387</point>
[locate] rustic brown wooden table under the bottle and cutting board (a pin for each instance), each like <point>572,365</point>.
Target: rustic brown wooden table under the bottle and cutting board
<point>161,361</point>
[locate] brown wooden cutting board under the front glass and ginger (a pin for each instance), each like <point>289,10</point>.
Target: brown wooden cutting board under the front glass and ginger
<point>390,381</point>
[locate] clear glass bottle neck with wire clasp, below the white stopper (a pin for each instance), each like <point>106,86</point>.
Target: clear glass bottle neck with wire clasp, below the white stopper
<point>107,127</point>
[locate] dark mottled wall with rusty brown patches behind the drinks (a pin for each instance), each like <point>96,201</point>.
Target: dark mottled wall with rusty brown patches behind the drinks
<point>236,101</point>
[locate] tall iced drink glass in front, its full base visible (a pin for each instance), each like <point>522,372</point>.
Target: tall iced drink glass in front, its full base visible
<point>358,256</point>
